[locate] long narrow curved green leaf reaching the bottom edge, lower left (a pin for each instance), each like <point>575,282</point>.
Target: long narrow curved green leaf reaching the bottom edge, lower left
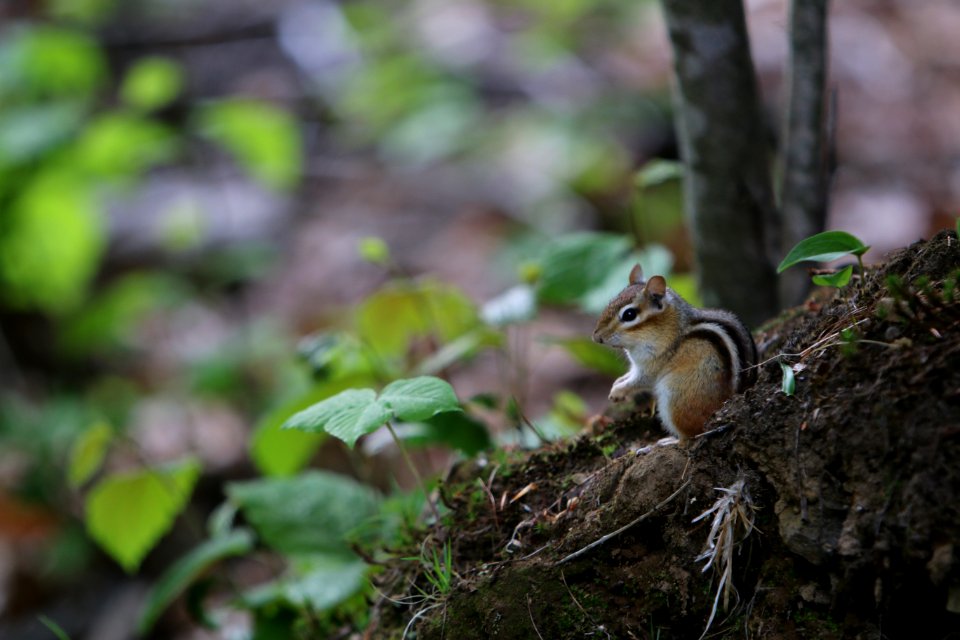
<point>187,569</point>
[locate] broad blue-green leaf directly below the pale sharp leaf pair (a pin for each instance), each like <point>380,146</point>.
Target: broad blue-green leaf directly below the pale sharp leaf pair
<point>313,512</point>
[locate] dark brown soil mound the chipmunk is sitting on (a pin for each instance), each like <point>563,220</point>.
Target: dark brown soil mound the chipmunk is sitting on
<point>853,486</point>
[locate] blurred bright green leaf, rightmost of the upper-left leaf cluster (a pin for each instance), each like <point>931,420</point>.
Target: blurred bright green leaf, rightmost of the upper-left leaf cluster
<point>264,139</point>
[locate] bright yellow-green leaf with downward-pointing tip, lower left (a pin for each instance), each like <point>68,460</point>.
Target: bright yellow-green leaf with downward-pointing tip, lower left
<point>128,513</point>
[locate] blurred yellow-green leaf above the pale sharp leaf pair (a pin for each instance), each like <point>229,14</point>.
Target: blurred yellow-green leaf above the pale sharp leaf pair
<point>391,319</point>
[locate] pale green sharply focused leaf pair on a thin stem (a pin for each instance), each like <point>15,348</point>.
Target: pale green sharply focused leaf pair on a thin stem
<point>357,412</point>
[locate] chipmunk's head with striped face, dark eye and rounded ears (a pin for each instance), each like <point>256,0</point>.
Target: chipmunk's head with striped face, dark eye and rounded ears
<point>632,310</point>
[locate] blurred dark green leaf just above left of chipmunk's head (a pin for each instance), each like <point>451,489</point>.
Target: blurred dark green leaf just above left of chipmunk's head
<point>576,263</point>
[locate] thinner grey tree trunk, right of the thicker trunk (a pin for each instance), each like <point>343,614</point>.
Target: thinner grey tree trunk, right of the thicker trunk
<point>805,172</point>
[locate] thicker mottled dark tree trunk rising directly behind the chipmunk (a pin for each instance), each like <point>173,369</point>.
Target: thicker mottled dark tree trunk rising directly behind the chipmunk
<point>728,193</point>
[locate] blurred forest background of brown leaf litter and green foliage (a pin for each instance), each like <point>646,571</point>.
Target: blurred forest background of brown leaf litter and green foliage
<point>190,193</point>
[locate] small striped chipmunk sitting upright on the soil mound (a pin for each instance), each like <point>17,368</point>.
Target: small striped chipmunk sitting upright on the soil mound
<point>690,359</point>
